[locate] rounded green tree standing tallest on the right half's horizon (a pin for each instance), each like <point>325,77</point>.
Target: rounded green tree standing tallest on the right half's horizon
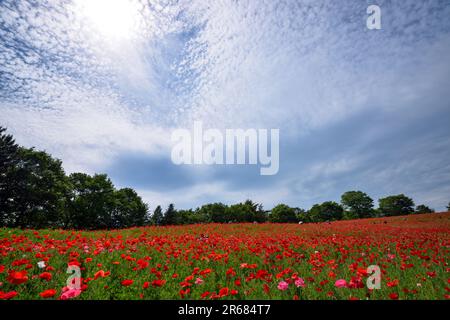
<point>357,204</point>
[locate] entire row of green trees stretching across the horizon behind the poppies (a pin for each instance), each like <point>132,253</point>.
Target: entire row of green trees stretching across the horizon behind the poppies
<point>35,192</point>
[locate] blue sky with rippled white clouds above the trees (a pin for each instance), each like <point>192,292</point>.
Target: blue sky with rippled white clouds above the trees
<point>102,84</point>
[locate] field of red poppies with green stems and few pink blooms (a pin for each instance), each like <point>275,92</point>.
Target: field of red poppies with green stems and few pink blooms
<point>232,261</point>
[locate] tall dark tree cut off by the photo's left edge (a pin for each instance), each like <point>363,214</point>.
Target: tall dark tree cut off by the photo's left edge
<point>8,160</point>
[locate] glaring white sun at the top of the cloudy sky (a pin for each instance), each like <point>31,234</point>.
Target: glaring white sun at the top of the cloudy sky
<point>115,19</point>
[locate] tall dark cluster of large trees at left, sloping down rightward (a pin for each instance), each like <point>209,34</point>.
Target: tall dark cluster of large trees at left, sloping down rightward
<point>36,193</point>
